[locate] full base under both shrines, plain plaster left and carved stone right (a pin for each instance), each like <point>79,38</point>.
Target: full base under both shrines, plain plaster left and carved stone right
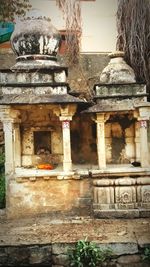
<point>107,195</point>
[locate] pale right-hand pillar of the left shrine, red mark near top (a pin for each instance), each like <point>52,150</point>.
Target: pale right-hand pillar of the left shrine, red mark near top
<point>67,162</point>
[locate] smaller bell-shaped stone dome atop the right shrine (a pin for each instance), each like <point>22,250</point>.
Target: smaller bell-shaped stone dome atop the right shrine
<point>117,71</point>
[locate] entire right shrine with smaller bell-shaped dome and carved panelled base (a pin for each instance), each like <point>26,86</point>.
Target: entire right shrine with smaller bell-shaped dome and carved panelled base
<point>122,116</point>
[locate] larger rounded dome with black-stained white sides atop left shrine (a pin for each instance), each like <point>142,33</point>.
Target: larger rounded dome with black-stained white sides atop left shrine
<point>35,35</point>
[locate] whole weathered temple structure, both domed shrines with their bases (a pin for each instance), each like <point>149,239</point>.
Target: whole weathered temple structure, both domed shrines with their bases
<point>64,156</point>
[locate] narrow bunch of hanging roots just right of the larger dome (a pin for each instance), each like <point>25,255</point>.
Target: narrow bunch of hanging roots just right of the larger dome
<point>72,14</point>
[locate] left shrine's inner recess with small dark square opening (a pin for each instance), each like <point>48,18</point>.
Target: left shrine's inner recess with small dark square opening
<point>41,143</point>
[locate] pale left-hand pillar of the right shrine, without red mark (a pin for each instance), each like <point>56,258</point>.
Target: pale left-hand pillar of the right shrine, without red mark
<point>101,150</point>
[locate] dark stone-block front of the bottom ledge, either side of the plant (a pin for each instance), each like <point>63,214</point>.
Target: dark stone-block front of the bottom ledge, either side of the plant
<point>56,255</point>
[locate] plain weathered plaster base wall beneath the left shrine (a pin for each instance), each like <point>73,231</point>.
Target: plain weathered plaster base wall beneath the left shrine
<point>49,196</point>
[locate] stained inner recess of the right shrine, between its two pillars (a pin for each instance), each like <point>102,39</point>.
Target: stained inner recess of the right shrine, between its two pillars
<point>121,139</point>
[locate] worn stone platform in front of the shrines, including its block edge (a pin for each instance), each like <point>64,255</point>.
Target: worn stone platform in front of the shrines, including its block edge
<point>44,242</point>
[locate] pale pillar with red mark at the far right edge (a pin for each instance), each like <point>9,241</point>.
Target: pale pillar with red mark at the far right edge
<point>144,151</point>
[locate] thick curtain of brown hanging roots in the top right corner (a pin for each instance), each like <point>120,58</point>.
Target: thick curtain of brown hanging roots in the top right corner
<point>133,24</point>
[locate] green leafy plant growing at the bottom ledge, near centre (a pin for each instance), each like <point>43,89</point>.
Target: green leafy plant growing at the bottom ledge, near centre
<point>88,254</point>
